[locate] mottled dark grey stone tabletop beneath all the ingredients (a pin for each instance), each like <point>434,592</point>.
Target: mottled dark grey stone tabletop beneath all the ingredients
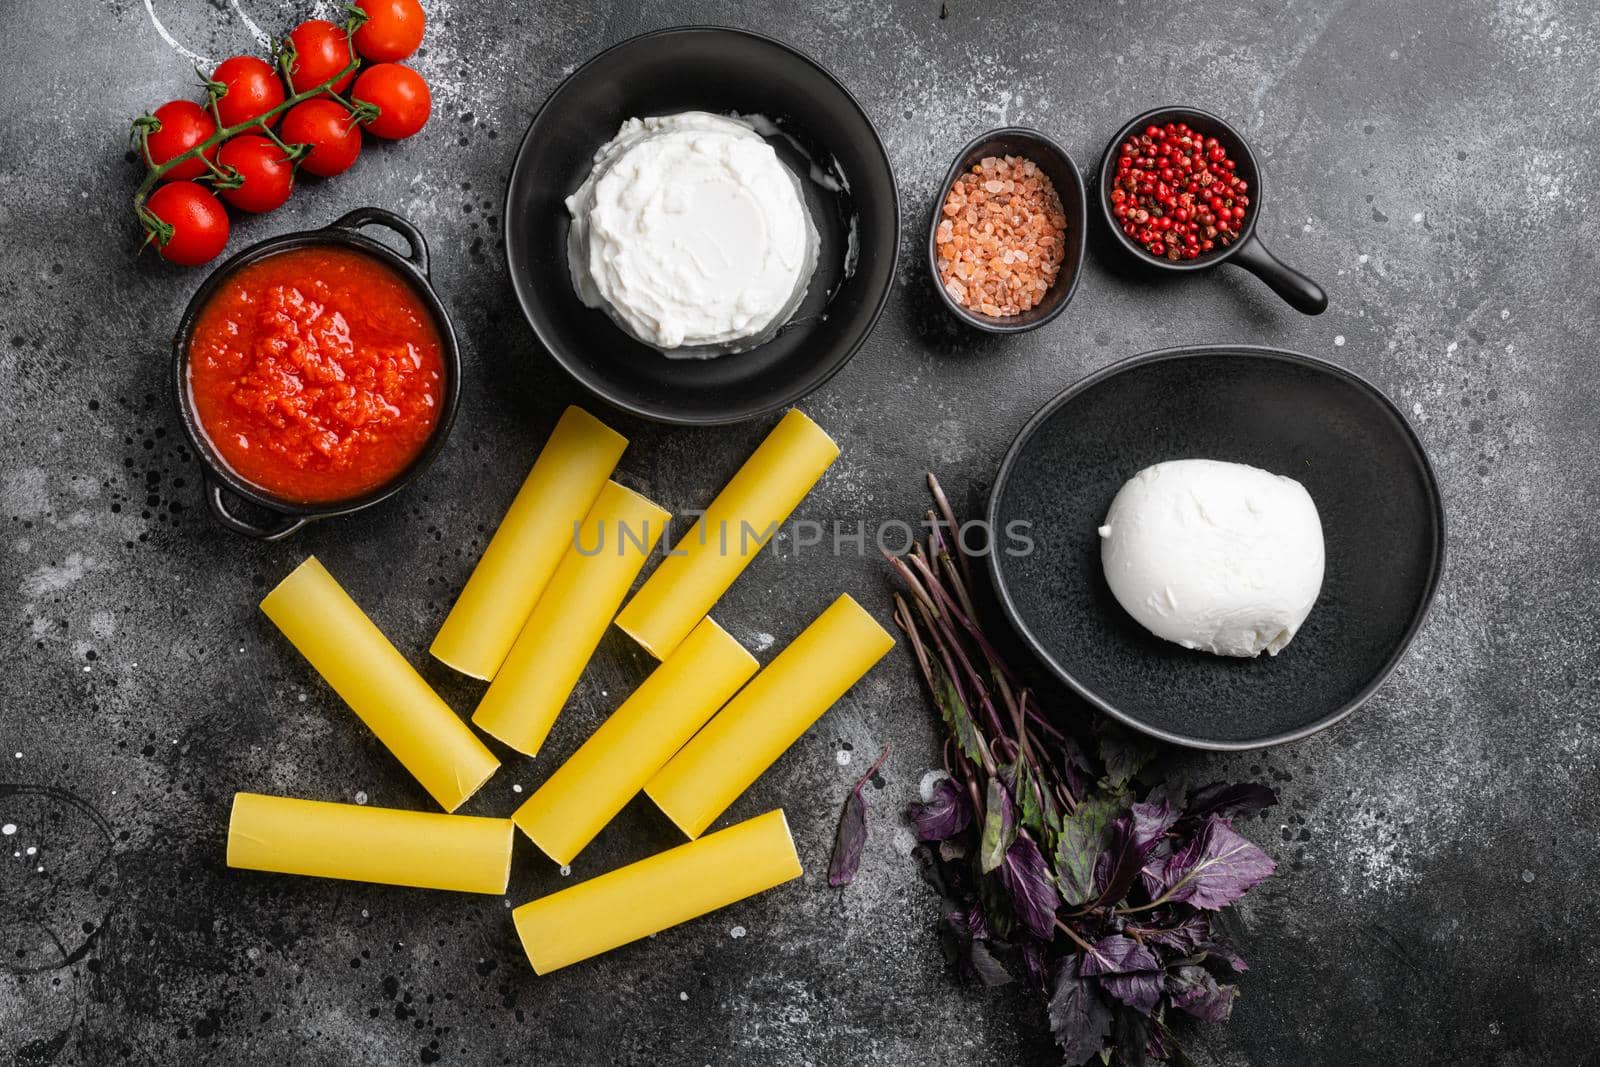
<point>1431,162</point>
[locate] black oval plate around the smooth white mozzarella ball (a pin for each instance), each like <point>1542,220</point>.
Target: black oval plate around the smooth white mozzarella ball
<point>1382,514</point>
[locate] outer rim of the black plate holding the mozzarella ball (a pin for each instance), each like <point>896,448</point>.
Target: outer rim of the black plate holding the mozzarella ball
<point>1266,353</point>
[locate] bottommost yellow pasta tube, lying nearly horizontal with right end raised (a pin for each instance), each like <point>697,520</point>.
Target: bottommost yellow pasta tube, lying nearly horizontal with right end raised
<point>657,893</point>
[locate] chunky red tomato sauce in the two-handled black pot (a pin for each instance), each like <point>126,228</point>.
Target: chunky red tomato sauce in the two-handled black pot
<point>316,374</point>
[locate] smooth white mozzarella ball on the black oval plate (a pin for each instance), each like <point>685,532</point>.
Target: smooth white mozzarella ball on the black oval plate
<point>1215,556</point>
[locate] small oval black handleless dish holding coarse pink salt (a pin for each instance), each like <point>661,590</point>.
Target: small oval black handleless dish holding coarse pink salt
<point>1070,186</point>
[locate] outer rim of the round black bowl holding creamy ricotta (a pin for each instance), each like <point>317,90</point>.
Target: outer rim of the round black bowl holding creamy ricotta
<point>657,414</point>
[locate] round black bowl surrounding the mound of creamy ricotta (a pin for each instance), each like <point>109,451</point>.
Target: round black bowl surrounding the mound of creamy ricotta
<point>719,71</point>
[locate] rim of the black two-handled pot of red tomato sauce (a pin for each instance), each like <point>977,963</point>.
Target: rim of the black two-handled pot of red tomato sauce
<point>340,233</point>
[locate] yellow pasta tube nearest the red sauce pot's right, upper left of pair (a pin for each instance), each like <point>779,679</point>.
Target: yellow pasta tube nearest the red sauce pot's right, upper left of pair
<point>529,545</point>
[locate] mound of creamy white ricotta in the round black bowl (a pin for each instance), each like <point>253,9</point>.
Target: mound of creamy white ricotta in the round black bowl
<point>692,234</point>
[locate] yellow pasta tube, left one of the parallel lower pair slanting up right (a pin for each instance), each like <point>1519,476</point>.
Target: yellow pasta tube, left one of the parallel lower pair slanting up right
<point>607,772</point>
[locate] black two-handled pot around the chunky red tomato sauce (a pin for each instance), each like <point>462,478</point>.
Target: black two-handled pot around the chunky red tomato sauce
<point>286,516</point>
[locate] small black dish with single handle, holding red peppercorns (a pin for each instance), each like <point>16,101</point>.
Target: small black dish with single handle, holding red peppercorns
<point>1300,292</point>
